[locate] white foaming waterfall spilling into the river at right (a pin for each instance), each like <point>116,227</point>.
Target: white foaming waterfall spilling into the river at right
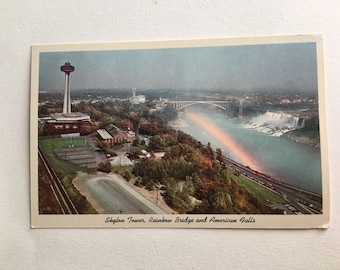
<point>276,123</point>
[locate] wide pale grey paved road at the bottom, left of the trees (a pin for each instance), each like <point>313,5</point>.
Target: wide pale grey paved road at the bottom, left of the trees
<point>116,197</point>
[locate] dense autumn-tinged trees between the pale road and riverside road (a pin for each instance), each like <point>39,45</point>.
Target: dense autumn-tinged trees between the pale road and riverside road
<point>192,179</point>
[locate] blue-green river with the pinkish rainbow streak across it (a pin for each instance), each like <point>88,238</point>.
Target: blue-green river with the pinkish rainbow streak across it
<point>283,159</point>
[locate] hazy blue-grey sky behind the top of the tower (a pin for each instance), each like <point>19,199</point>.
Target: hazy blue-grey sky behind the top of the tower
<point>247,67</point>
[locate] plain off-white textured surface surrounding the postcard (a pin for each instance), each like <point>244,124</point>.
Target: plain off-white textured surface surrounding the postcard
<point>24,23</point>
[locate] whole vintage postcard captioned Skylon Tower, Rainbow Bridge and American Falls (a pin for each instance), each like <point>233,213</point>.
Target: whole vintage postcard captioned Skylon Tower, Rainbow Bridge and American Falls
<point>219,133</point>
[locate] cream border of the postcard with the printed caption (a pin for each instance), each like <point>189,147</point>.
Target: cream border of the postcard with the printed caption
<point>188,220</point>
